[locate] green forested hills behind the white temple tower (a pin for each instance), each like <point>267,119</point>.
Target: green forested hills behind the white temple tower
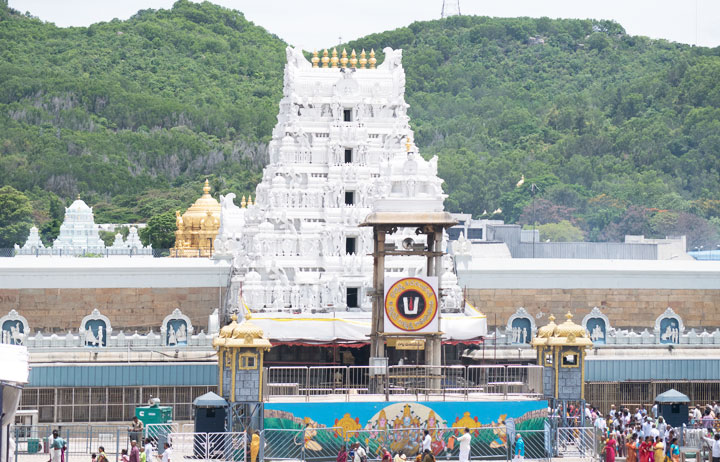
<point>621,134</point>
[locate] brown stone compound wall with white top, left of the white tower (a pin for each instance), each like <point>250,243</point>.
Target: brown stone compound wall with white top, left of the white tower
<point>54,294</point>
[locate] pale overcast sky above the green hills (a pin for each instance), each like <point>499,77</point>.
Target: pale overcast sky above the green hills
<point>318,23</point>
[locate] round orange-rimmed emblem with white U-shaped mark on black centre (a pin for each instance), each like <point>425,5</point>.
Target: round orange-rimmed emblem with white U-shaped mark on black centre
<point>411,304</point>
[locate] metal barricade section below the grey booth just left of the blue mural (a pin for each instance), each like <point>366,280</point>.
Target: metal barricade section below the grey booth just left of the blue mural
<point>208,446</point>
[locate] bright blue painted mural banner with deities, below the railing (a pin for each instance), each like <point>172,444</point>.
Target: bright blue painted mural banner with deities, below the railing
<point>318,430</point>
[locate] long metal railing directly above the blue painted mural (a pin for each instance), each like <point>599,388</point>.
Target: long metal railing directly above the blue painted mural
<point>422,381</point>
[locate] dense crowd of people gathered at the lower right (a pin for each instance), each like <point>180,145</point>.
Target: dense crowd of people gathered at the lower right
<point>645,436</point>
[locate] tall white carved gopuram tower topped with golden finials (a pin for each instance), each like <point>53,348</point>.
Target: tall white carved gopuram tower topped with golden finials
<point>342,148</point>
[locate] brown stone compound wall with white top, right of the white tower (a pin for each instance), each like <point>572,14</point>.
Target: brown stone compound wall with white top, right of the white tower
<point>631,293</point>
